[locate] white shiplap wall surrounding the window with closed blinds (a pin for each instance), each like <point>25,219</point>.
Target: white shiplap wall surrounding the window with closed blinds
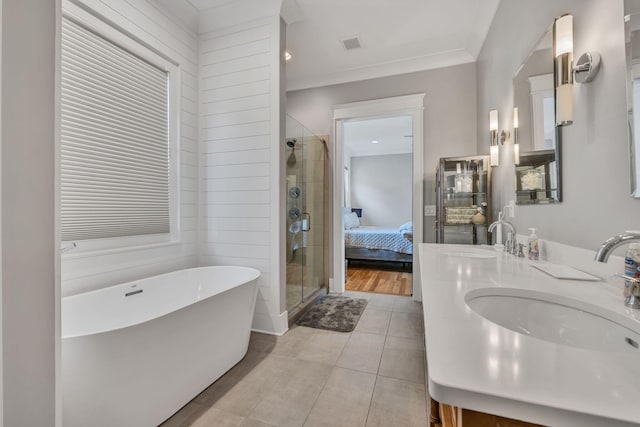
<point>154,26</point>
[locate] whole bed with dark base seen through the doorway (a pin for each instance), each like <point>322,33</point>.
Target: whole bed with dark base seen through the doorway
<point>368,243</point>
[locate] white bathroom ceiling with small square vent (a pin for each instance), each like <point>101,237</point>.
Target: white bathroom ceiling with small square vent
<point>397,36</point>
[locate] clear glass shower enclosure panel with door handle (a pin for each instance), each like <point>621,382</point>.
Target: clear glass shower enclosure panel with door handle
<point>306,195</point>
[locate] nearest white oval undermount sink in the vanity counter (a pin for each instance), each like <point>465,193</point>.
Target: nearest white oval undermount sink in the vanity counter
<point>551,318</point>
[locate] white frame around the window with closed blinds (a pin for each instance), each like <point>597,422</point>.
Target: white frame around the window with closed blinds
<point>115,34</point>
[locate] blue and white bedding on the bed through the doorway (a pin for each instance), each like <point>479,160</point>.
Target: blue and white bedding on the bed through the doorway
<point>377,238</point>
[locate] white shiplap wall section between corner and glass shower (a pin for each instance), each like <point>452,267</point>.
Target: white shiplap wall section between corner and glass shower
<point>240,100</point>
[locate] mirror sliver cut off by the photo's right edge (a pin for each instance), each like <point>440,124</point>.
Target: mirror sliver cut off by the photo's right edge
<point>632,47</point>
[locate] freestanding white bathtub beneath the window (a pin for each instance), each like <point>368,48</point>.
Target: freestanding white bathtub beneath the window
<point>135,353</point>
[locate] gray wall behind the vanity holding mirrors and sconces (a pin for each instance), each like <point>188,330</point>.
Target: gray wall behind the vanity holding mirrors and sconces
<point>595,164</point>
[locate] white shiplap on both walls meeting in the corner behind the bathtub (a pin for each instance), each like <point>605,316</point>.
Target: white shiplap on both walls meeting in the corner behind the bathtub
<point>230,85</point>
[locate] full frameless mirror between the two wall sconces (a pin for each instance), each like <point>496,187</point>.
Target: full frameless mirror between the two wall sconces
<point>537,175</point>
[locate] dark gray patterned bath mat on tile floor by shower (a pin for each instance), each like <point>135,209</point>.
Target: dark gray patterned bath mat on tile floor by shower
<point>334,313</point>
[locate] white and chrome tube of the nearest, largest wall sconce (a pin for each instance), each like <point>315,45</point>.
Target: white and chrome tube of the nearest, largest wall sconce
<point>563,68</point>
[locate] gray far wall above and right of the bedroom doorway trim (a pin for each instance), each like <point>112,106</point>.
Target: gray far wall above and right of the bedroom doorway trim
<point>449,114</point>
